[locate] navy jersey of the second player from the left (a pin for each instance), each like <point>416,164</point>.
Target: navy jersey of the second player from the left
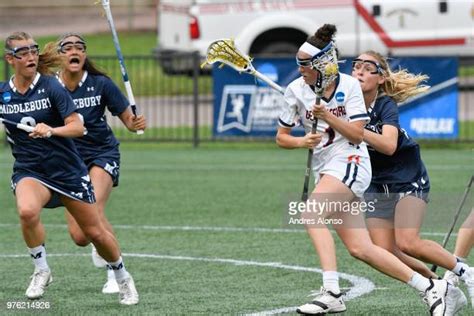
<point>92,96</point>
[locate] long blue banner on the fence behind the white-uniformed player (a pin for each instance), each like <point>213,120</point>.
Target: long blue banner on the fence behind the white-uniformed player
<point>245,106</point>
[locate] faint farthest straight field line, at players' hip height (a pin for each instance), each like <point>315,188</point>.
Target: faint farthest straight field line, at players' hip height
<point>234,167</point>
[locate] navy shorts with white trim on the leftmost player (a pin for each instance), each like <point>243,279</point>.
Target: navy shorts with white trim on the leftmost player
<point>79,190</point>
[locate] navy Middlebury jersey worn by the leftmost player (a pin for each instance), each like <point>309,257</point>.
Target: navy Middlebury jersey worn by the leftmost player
<point>55,158</point>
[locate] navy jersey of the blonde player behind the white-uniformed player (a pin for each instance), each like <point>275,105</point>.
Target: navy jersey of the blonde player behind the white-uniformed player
<point>405,165</point>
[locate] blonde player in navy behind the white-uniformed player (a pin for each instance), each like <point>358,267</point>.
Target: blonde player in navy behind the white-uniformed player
<point>400,185</point>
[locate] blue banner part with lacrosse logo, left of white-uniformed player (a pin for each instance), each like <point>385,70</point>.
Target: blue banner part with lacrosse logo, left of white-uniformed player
<point>245,106</point>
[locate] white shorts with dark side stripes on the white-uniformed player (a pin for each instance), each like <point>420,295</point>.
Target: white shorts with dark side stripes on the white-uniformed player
<point>348,164</point>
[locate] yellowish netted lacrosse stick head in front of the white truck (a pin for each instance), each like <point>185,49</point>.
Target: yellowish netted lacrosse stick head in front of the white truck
<point>225,52</point>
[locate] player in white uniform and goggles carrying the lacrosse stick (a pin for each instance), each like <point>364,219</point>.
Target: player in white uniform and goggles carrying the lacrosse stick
<point>342,171</point>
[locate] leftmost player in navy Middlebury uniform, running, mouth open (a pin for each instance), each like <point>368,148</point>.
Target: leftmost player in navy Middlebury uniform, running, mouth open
<point>48,170</point>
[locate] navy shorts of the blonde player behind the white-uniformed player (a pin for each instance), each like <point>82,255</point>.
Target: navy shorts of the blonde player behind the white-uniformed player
<point>384,197</point>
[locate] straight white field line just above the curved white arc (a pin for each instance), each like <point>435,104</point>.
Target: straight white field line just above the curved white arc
<point>227,229</point>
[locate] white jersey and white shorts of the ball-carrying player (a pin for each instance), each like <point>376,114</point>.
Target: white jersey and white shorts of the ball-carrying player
<point>334,155</point>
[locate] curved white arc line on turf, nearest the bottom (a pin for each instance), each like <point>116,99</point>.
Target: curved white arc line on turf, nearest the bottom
<point>360,285</point>
